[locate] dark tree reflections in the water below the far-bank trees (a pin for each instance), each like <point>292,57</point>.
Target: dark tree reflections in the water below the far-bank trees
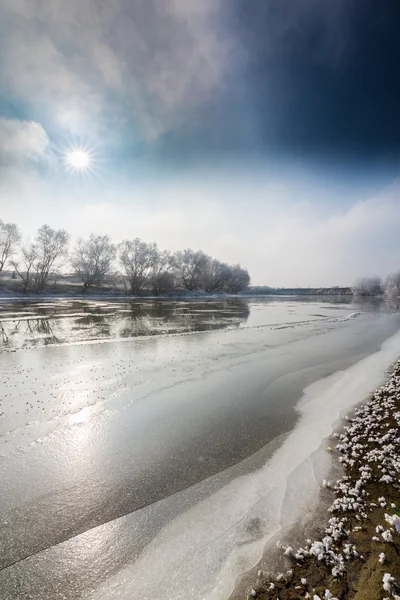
<point>72,321</point>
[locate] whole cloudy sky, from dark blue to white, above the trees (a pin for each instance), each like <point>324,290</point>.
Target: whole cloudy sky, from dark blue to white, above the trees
<point>264,132</point>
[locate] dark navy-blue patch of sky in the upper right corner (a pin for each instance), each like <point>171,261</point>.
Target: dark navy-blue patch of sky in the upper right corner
<point>323,76</point>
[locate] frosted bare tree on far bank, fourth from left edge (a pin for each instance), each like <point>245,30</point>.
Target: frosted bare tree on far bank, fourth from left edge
<point>138,260</point>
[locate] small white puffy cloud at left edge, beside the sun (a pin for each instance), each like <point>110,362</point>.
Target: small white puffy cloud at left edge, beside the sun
<point>21,141</point>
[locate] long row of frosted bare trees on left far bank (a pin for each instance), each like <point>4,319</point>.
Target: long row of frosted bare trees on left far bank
<point>141,267</point>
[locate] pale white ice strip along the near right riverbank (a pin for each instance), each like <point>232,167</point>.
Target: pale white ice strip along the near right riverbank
<point>200,554</point>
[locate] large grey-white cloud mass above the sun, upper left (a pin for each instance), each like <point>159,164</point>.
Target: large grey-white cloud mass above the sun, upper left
<point>161,60</point>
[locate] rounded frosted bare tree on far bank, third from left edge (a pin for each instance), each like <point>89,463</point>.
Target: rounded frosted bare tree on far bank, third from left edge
<point>93,259</point>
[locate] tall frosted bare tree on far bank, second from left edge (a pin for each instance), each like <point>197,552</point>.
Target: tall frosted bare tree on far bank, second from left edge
<point>44,256</point>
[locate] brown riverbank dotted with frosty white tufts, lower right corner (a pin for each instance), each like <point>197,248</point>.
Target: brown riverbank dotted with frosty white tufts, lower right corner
<point>357,556</point>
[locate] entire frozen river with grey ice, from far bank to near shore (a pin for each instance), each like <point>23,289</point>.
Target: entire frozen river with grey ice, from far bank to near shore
<point>150,449</point>
